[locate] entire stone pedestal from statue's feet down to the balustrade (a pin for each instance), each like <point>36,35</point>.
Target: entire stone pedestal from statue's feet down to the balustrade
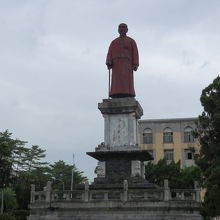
<point>120,158</point>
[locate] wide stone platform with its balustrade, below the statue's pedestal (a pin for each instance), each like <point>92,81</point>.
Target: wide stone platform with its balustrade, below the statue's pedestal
<point>121,202</point>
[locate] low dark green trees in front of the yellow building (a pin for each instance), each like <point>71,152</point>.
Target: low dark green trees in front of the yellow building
<point>178,178</point>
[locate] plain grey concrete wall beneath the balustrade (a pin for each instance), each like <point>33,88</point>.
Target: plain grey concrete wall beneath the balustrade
<point>117,210</point>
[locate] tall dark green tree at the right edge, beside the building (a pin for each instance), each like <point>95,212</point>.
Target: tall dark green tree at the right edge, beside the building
<point>208,134</point>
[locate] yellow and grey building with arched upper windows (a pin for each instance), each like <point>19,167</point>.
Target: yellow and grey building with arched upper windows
<point>171,139</point>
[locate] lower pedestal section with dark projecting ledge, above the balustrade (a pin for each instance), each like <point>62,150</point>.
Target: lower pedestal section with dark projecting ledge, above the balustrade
<point>121,165</point>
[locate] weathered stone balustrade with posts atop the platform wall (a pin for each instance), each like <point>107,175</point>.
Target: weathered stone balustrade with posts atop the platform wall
<point>124,194</point>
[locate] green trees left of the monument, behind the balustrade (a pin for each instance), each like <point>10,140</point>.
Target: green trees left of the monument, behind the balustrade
<point>21,166</point>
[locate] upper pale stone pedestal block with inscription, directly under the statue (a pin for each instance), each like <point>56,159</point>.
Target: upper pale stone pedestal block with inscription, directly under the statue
<point>120,118</point>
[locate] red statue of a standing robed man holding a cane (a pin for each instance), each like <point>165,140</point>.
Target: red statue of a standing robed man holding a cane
<point>122,58</point>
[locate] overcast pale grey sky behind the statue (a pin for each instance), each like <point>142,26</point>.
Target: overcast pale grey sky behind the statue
<point>53,73</point>
